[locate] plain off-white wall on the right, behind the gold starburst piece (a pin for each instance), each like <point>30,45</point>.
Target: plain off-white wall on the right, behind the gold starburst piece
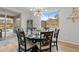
<point>69,30</point>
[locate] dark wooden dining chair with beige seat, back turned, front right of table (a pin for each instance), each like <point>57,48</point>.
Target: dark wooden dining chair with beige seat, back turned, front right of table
<point>45,45</point>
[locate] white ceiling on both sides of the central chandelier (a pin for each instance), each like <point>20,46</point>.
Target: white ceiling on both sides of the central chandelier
<point>14,11</point>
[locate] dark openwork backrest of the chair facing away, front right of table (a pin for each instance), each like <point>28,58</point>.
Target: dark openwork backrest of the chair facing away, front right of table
<point>48,38</point>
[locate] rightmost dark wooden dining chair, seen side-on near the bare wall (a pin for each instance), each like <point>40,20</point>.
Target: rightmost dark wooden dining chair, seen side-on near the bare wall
<point>55,38</point>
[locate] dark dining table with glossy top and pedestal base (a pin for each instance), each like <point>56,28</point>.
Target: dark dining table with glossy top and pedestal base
<point>36,39</point>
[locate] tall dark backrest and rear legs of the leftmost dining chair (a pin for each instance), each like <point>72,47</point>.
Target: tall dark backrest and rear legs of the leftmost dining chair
<point>21,40</point>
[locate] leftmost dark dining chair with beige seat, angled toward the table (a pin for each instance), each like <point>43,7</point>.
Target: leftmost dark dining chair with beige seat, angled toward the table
<point>23,45</point>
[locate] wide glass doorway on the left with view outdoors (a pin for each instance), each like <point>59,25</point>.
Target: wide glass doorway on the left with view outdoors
<point>9,21</point>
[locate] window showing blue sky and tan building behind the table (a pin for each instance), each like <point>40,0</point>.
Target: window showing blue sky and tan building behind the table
<point>51,19</point>
